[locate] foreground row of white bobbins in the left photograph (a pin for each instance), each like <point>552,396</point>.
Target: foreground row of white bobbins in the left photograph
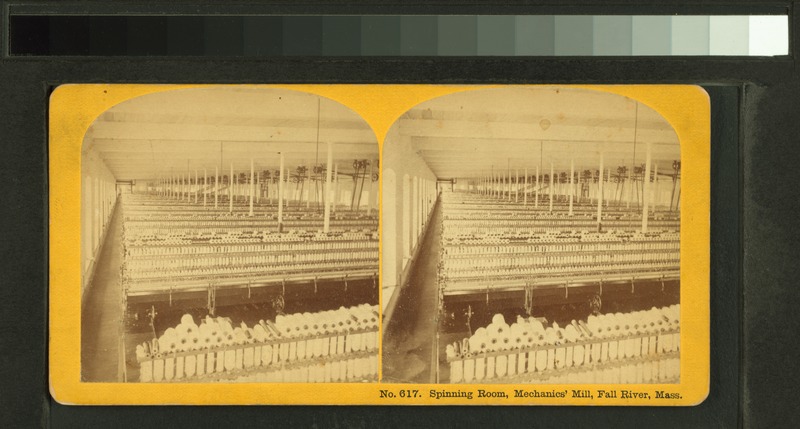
<point>346,340</point>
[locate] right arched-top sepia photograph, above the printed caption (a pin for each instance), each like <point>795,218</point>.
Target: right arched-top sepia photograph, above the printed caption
<point>531,234</point>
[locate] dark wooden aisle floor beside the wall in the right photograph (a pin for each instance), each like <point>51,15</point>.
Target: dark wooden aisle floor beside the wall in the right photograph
<point>408,341</point>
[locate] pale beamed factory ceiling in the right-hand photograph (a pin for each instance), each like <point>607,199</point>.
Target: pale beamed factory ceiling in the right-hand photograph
<point>469,134</point>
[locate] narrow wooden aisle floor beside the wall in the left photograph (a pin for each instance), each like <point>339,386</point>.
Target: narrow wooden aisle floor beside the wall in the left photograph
<point>101,315</point>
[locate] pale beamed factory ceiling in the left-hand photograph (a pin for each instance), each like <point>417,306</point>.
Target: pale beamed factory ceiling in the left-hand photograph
<point>180,131</point>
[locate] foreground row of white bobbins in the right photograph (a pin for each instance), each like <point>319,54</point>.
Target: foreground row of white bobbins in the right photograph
<point>529,346</point>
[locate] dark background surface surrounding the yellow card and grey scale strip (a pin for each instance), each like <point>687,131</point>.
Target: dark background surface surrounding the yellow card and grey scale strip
<point>754,175</point>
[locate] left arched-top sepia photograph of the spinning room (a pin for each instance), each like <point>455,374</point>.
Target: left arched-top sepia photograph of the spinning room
<point>229,234</point>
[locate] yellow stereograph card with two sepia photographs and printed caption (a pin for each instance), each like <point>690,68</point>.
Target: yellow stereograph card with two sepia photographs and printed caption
<point>379,244</point>
